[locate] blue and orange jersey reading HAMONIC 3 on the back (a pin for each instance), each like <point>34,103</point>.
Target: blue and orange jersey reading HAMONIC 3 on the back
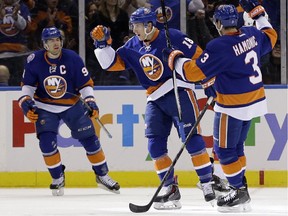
<point>235,62</point>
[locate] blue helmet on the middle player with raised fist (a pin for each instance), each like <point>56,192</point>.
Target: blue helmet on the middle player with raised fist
<point>143,15</point>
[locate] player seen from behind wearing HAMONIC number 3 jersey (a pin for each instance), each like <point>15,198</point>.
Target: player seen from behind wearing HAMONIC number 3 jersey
<point>233,59</point>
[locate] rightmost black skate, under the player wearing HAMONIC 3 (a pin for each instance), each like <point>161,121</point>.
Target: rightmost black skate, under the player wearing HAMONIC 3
<point>237,200</point>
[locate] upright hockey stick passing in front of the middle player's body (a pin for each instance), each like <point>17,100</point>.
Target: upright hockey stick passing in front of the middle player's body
<point>168,41</point>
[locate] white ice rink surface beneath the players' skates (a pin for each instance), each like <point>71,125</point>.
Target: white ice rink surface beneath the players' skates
<point>95,201</point>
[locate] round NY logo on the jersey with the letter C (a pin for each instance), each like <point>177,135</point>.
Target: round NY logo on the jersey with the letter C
<point>55,86</point>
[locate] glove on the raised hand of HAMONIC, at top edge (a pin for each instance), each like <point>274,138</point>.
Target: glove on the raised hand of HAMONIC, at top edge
<point>253,8</point>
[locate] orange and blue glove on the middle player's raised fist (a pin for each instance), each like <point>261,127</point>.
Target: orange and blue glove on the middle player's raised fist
<point>101,37</point>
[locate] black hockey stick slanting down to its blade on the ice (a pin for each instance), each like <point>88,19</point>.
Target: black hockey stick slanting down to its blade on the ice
<point>139,209</point>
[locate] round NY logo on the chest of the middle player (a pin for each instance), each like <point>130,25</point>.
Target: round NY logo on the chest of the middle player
<point>152,66</point>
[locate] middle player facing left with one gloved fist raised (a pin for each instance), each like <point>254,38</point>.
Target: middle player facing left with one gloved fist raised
<point>142,53</point>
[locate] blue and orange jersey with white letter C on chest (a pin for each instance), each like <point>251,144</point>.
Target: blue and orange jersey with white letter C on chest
<point>55,79</point>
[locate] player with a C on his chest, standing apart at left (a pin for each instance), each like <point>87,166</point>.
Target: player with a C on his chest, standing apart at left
<point>53,80</point>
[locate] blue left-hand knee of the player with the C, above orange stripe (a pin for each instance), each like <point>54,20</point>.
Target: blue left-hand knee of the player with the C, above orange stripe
<point>48,142</point>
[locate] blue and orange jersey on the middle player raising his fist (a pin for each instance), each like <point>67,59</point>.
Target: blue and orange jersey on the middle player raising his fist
<point>146,60</point>
